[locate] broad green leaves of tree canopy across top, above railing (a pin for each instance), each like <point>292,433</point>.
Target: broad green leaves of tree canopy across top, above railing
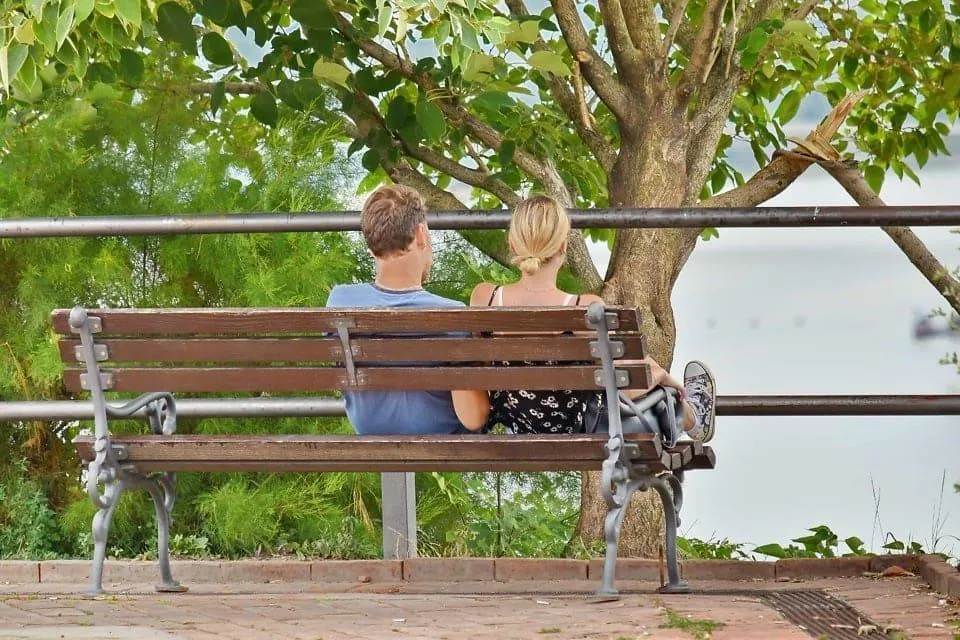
<point>497,67</point>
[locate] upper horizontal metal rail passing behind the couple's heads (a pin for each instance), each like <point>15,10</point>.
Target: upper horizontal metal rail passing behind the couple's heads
<point>927,215</point>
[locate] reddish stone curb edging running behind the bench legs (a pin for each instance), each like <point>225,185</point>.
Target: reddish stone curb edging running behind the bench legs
<point>934,570</point>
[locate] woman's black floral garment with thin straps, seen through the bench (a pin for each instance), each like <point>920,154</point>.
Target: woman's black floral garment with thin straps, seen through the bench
<point>531,412</point>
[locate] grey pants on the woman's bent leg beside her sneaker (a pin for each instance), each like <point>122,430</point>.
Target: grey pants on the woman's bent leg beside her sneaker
<point>660,411</point>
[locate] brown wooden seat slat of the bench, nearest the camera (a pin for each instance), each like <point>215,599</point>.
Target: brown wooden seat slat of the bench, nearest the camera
<point>371,453</point>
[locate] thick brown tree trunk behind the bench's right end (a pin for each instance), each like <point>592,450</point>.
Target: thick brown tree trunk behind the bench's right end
<point>650,172</point>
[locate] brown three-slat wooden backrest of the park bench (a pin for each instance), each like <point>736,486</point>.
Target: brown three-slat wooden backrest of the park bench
<point>304,350</point>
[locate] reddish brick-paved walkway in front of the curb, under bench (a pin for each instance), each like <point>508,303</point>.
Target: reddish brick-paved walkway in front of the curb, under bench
<point>463,610</point>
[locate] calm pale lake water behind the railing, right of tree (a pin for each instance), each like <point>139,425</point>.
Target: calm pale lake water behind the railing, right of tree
<point>822,311</point>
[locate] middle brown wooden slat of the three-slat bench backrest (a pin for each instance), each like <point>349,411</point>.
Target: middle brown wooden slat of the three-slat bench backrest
<point>371,350</point>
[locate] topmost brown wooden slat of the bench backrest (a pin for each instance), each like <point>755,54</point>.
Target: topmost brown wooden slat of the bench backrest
<point>160,322</point>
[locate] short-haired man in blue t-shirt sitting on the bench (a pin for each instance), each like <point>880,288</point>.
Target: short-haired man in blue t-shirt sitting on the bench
<point>394,226</point>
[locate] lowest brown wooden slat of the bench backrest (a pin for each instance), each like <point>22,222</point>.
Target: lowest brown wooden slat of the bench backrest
<point>300,379</point>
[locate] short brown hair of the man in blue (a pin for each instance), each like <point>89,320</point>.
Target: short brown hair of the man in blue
<point>390,217</point>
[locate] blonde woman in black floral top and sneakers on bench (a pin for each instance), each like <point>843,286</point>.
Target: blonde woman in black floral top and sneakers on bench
<point>538,241</point>
